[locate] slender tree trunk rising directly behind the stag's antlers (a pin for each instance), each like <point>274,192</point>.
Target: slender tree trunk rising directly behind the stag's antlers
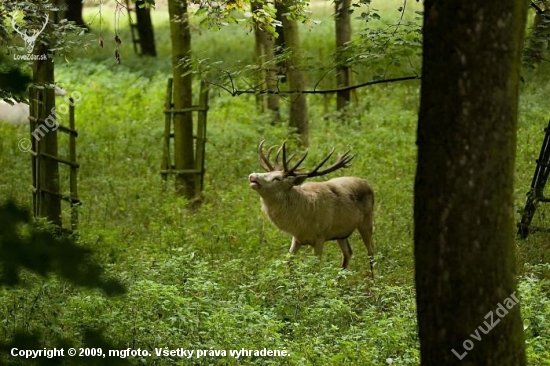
<point>295,76</point>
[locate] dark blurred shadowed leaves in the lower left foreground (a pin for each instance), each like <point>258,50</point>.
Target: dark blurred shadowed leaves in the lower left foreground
<point>39,249</point>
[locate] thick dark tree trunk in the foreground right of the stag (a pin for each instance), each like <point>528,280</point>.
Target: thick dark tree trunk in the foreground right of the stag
<point>463,200</point>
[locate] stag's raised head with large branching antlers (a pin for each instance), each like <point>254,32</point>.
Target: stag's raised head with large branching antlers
<point>281,177</point>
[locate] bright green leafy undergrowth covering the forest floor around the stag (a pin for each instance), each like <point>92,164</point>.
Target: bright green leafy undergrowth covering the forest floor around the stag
<point>218,277</point>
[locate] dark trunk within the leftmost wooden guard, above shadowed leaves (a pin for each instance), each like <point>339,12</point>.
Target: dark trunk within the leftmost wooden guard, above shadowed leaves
<point>49,205</point>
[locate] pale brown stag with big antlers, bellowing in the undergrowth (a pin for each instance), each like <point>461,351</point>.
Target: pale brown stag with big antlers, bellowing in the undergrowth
<point>315,212</point>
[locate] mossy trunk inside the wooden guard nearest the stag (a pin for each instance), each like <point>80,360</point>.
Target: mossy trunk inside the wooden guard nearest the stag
<point>183,98</point>
